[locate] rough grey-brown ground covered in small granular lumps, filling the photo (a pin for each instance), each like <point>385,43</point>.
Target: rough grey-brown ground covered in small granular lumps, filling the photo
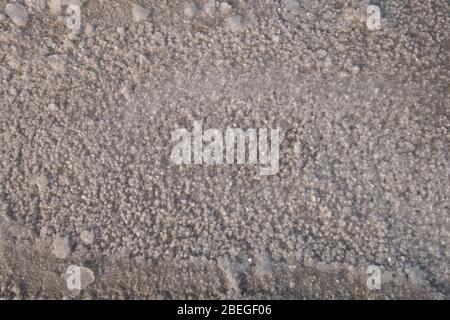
<point>85,140</point>
